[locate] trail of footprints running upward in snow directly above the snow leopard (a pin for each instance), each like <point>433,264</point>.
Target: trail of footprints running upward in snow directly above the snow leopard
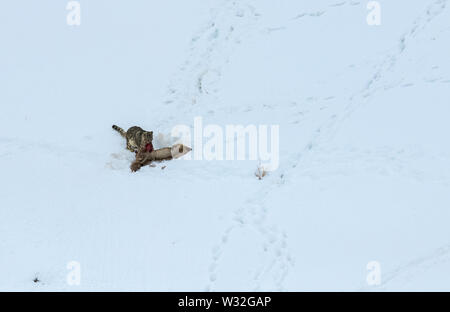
<point>198,77</point>
